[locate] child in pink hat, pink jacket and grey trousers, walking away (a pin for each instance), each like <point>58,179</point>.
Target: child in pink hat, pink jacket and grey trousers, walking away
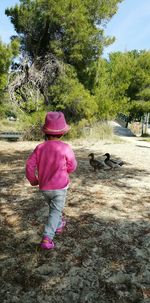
<point>49,166</point>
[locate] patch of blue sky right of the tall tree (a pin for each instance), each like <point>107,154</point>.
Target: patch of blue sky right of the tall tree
<point>130,26</point>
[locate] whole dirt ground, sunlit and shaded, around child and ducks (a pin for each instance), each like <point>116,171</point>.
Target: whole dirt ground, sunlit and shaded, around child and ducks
<point>103,254</point>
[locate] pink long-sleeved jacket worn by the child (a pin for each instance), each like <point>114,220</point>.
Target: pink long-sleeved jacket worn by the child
<point>50,164</point>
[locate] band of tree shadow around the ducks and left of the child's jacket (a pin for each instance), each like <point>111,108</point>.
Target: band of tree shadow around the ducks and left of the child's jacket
<point>84,175</point>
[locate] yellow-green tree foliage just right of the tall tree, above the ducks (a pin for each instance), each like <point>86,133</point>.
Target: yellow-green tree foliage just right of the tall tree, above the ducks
<point>109,92</point>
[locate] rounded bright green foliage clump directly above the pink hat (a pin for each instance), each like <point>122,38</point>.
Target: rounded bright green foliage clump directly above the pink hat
<point>69,95</point>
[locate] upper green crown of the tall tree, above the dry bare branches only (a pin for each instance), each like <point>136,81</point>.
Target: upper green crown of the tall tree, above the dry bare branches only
<point>68,29</point>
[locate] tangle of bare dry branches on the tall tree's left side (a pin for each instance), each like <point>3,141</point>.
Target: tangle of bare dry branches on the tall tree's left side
<point>40,75</point>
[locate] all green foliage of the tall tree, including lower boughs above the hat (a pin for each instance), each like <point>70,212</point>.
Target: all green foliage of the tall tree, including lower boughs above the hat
<point>73,31</point>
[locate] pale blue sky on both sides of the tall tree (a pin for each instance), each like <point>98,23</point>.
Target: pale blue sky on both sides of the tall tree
<point>130,25</point>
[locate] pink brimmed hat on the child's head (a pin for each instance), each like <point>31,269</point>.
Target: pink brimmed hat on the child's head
<point>55,124</point>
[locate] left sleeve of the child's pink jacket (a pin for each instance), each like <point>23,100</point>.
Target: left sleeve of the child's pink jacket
<point>31,166</point>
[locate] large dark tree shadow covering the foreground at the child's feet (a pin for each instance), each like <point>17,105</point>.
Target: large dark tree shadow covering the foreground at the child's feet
<point>100,259</point>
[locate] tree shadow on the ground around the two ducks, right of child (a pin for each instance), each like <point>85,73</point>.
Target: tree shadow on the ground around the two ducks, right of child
<point>85,175</point>
